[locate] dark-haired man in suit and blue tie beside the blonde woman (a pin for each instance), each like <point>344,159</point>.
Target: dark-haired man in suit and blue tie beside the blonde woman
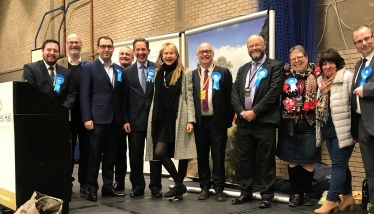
<point>138,94</point>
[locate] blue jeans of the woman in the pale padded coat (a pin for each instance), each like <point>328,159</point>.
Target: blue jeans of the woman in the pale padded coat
<point>341,178</point>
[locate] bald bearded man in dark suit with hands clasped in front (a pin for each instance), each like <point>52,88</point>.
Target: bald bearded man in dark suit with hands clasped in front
<point>256,101</point>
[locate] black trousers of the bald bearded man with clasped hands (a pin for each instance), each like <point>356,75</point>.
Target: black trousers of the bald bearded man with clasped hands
<point>256,153</point>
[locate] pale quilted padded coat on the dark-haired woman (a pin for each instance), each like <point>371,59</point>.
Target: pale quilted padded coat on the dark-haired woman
<point>340,105</point>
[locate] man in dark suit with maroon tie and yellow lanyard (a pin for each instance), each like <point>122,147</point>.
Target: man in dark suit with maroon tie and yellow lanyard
<point>214,114</point>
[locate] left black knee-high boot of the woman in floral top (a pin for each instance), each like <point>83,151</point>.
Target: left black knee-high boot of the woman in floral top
<point>297,196</point>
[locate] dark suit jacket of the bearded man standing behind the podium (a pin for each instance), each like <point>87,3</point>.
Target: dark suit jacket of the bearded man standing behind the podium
<point>37,75</point>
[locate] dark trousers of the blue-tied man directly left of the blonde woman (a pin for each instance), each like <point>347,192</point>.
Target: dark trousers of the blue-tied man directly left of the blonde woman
<point>136,153</point>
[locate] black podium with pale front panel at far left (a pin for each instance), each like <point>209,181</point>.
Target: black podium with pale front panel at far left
<point>35,149</point>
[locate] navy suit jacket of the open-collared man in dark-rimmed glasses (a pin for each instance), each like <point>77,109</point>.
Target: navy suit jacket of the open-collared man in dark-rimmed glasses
<point>100,101</point>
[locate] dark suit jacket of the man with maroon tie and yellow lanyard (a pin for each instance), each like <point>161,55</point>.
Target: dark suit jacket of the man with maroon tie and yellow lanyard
<point>221,99</point>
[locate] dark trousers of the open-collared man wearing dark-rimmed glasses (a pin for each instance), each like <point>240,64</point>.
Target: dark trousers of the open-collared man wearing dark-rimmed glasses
<point>103,147</point>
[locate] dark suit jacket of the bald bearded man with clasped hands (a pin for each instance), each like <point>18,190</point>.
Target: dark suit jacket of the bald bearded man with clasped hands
<point>266,101</point>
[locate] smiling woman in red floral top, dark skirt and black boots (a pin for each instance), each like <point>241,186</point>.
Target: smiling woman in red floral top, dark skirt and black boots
<point>297,134</point>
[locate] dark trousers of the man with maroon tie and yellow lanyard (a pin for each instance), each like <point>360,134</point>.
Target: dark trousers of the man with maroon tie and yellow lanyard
<point>210,139</point>
